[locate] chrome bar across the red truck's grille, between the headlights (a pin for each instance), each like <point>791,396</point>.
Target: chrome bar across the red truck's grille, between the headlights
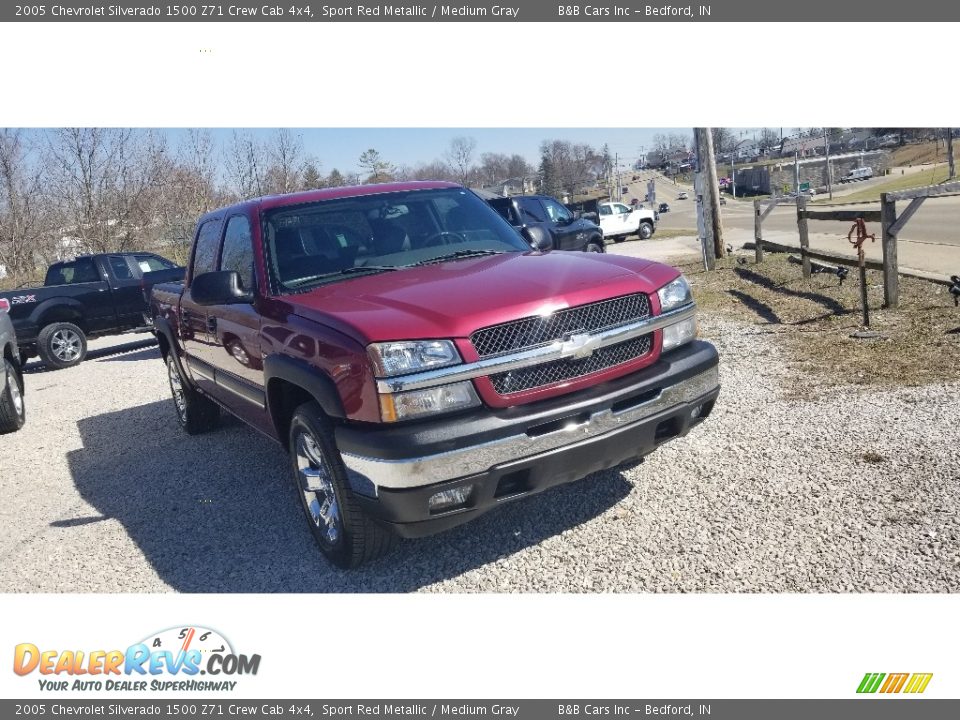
<point>557,350</point>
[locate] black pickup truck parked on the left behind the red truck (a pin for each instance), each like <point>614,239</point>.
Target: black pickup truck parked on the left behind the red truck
<point>87,297</point>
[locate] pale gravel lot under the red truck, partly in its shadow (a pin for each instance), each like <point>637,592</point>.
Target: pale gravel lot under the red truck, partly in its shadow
<point>850,490</point>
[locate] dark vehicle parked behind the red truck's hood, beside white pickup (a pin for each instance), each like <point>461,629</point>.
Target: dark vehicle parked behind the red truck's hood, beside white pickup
<point>568,231</point>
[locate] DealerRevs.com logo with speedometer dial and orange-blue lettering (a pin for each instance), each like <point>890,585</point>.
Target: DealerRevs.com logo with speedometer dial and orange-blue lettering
<point>172,659</point>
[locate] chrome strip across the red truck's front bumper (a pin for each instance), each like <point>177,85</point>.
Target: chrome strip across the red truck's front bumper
<point>462,462</point>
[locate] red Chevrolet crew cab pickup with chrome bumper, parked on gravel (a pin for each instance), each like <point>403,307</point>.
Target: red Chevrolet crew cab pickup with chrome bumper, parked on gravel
<point>422,360</point>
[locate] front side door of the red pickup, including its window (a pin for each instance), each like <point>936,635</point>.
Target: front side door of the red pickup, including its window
<point>234,349</point>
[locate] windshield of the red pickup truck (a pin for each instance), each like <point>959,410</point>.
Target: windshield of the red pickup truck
<point>333,240</point>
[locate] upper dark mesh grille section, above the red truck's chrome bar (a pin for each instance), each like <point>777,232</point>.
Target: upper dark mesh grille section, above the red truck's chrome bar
<point>531,332</point>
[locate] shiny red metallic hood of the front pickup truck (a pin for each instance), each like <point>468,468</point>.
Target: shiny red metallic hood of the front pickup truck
<point>455,298</point>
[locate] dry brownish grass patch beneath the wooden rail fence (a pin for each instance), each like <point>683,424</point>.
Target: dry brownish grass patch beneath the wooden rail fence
<point>816,317</point>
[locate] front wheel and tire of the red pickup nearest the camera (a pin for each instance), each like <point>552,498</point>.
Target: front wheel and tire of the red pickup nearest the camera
<point>346,535</point>
